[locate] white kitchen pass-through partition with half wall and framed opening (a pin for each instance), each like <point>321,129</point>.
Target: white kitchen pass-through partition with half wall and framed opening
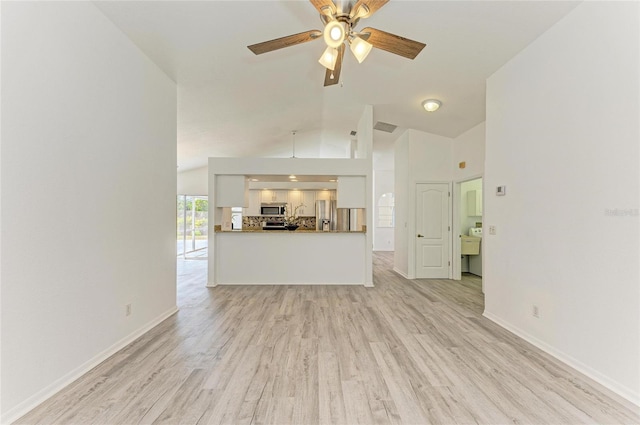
<point>300,257</point>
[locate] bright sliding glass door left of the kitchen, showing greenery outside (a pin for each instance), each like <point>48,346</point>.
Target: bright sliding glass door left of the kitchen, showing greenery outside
<point>192,226</point>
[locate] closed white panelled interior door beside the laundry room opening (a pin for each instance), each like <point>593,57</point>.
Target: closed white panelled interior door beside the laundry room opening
<point>433,230</point>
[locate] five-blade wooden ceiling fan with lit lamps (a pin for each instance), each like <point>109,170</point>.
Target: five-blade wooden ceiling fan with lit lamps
<point>339,29</point>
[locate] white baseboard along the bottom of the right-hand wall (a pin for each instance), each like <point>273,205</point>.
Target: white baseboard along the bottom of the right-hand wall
<point>627,393</point>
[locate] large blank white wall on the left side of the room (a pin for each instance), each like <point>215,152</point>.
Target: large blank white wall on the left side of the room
<point>88,196</point>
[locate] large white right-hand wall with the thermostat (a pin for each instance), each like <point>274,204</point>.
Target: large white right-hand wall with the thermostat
<point>562,135</point>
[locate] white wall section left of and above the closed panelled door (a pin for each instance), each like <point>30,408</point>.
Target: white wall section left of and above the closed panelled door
<point>419,158</point>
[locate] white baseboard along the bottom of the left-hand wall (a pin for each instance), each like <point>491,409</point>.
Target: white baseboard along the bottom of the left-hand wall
<point>49,391</point>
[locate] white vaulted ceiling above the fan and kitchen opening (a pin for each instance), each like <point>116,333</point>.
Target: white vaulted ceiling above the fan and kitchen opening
<point>234,103</point>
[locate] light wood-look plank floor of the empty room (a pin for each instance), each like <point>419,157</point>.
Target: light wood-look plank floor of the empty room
<point>404,352</point>
